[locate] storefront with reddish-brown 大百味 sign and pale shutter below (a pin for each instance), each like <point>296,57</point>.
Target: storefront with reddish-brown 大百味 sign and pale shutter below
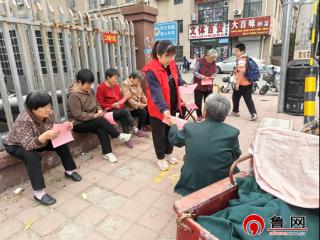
<point>253,32</point>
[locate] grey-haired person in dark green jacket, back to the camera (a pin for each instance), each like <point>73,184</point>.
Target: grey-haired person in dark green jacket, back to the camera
<point>206,161</point>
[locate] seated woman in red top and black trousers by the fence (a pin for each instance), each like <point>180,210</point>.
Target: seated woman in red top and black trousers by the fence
<point>108,96</point>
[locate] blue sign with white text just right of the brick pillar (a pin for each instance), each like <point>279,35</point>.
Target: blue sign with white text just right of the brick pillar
<point>166,31</point>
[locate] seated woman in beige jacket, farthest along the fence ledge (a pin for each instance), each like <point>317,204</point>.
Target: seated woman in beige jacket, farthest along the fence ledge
<point>137,101</point>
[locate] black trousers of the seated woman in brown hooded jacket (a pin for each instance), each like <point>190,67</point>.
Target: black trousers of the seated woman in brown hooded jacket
<point>101,127</point>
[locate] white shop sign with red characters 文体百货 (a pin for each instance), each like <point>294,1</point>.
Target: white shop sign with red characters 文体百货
<point>209,30</point>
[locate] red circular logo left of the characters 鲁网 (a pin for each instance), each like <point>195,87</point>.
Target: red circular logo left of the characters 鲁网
<point>253,225</point>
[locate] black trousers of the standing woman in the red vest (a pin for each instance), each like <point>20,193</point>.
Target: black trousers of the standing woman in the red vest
<point>160,139</point>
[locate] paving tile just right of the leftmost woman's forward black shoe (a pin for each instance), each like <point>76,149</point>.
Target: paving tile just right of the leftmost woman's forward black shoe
<point>73,207</point>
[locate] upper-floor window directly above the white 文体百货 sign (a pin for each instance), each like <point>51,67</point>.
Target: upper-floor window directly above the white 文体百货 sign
<point>213,12</point>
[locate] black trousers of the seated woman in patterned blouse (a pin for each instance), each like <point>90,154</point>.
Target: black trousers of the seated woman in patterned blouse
<point>32,160</point>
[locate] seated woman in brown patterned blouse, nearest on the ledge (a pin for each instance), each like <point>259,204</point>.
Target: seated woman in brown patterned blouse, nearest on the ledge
<point>31,134</point>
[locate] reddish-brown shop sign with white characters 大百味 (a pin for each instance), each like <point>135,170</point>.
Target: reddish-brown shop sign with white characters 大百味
<point>250,26</point>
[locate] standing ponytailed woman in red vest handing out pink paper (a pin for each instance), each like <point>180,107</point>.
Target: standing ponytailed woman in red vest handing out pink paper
<point>163,81</point>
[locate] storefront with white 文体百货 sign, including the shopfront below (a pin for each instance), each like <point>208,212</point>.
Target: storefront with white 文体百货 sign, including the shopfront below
<point>211,35</point>
